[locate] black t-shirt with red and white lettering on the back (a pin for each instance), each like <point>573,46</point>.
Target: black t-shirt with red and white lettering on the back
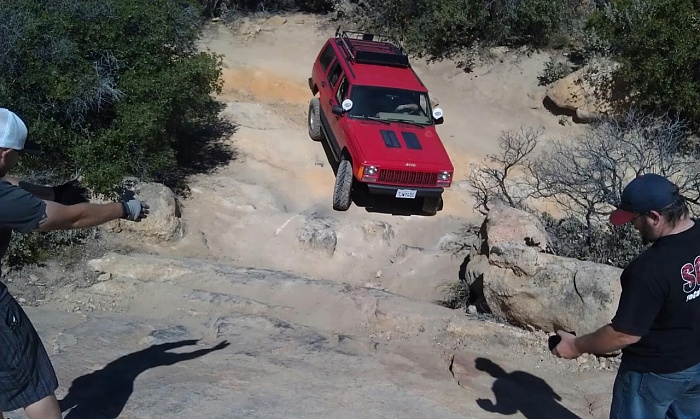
<point>660,302</point>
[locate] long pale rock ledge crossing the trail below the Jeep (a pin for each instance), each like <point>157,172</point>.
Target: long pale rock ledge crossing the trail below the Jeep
<point>198,289</point>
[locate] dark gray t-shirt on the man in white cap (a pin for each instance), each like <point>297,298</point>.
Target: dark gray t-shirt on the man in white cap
<point>19,211</point>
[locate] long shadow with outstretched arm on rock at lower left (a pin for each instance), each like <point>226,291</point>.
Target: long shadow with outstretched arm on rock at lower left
<point>104,393</point>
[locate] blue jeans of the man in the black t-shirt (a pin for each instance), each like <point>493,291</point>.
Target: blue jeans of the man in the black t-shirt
<point>650,396</point>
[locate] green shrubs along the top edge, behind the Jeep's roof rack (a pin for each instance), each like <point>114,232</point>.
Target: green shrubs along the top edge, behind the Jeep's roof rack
<point>442,28</point>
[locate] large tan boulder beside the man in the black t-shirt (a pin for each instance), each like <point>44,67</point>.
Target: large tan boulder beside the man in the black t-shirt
<point>526,286</point>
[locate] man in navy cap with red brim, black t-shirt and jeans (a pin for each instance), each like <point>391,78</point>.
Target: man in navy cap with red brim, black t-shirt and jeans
<point>657,323</point>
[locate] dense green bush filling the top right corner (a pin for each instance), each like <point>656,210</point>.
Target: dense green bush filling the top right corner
<point>658,44</point>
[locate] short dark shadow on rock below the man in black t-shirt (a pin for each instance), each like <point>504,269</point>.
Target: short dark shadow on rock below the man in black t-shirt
<point>522,392</point>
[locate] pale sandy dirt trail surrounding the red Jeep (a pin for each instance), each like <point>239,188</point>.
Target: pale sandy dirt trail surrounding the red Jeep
<point>284,175</point>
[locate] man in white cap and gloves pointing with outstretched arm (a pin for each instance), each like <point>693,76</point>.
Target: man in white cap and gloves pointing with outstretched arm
<point>27,378</point>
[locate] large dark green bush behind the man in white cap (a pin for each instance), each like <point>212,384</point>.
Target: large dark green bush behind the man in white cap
<point>109,88</point>
